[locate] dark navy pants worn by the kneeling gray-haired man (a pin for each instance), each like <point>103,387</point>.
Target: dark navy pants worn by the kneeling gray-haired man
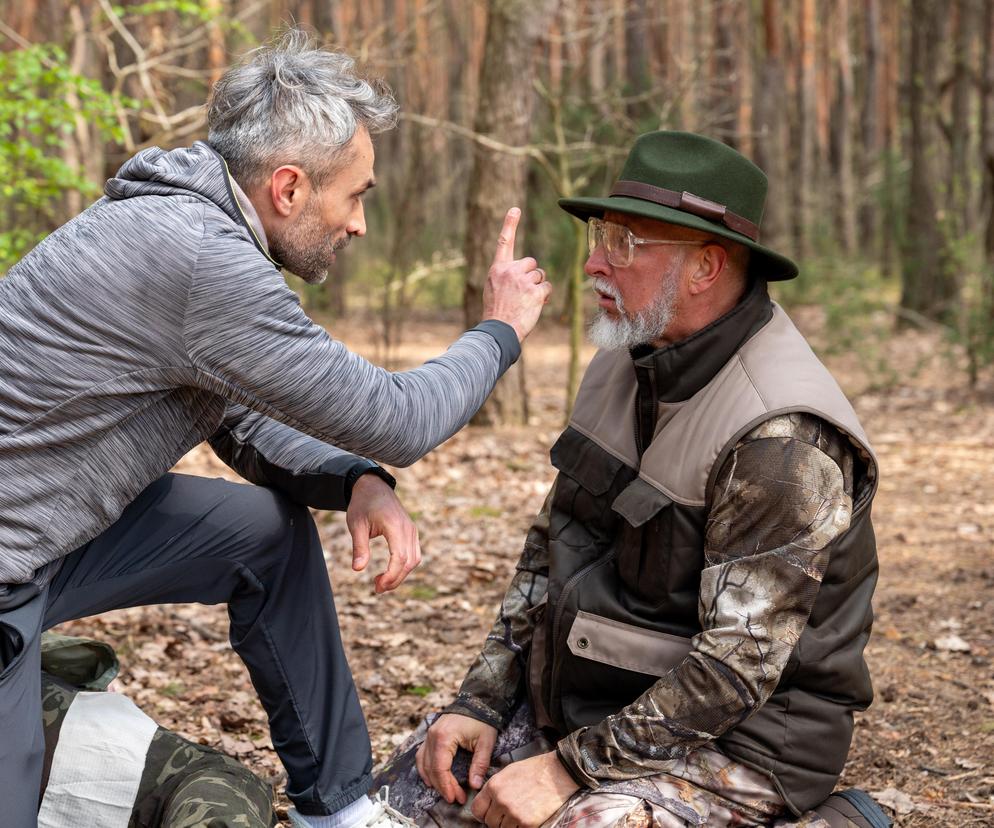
<point>190,539</point>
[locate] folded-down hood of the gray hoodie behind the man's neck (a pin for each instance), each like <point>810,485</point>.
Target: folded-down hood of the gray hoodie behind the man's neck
<point>194,172</point>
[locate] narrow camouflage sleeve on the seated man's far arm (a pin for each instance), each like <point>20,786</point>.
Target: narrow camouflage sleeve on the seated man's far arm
<point>493,685</point>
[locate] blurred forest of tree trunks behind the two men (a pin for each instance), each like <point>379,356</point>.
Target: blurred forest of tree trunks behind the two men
<point>874,120</point>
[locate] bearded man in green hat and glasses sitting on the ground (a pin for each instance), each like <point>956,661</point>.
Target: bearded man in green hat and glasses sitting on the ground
<point>682,641</point>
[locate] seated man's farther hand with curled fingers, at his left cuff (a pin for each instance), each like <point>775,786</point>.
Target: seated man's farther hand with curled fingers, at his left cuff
<point>434,758</point>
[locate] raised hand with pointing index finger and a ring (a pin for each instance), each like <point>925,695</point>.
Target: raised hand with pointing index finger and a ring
<point>516,289</point>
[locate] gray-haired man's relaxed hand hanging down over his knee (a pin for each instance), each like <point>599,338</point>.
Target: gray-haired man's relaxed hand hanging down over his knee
<point>374,511</point>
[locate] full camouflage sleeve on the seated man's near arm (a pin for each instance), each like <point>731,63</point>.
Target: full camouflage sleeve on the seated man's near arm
<point>782,496</point>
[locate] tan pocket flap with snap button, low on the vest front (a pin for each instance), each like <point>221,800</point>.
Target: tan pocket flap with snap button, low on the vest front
<point>626,646</point>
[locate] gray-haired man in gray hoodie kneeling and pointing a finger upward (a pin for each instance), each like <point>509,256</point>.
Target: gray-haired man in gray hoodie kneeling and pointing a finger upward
<point>157,319</point>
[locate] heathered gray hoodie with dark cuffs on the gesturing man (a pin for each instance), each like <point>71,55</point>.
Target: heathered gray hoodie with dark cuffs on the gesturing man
<point>155,320</point>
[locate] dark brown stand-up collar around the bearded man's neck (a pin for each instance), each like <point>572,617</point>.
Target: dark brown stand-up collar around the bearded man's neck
<point>683,368</point>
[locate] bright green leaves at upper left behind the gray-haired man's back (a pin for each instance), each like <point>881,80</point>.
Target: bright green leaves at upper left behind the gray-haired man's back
<point>39,105</point>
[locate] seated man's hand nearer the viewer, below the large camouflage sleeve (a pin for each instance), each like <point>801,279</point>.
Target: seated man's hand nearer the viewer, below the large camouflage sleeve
<point>525,793</point>
